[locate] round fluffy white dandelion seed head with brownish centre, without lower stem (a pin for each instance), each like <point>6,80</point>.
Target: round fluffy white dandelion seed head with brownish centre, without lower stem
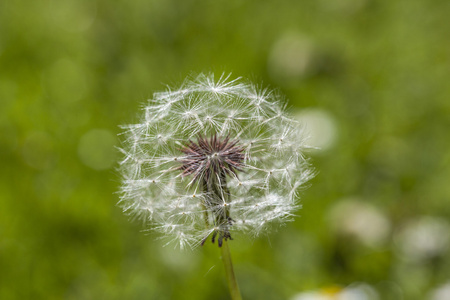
<point>213,157</point>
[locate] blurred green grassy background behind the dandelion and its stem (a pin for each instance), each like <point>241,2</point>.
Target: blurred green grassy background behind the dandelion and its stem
<point>370,78</point>
